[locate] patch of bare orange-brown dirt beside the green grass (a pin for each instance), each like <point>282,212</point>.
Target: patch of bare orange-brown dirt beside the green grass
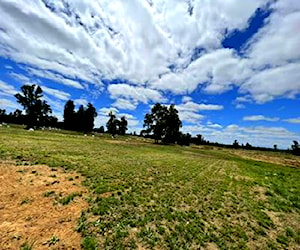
<point>31,209</point>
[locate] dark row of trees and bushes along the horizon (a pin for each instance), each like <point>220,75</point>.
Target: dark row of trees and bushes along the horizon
<point>162,123</point>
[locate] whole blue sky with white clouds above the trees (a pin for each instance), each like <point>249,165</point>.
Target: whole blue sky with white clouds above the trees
<point>231,67</point>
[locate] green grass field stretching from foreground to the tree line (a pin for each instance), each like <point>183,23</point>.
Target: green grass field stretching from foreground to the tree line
<point>146,196</point>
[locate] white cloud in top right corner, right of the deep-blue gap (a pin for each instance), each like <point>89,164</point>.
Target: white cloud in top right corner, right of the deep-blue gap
<point>276,43</point>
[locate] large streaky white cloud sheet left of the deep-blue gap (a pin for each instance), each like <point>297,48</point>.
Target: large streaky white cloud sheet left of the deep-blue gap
<point>116,39</point>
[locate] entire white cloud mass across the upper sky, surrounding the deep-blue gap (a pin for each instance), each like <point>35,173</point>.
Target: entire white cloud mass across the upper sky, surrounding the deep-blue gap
<point>138,42</point>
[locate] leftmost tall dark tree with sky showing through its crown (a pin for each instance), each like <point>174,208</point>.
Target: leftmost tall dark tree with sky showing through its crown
<point>36,109</point>
